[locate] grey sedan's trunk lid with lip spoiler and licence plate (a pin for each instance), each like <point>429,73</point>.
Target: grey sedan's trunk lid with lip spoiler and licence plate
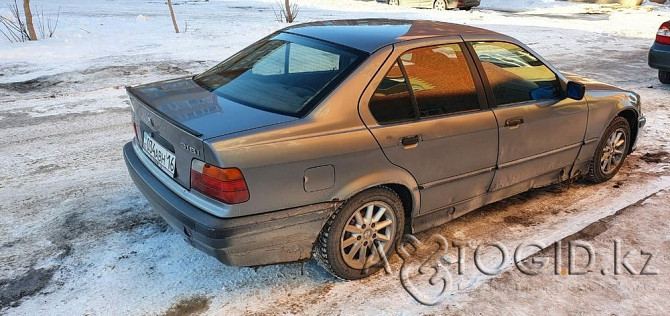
<point>174,117</point>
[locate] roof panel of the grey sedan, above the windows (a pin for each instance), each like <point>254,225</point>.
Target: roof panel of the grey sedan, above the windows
<point>371,34</point>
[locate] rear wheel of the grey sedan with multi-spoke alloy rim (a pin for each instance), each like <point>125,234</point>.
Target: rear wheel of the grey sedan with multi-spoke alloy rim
<point>361,212</point>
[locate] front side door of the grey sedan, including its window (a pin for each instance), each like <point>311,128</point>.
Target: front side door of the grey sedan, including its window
<point>541,131</point>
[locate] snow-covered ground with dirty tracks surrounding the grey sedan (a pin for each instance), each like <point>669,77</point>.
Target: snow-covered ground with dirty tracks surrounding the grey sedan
<point>76,237</point>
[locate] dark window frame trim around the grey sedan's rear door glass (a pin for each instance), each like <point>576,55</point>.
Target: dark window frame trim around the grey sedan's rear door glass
<point>474,74</point>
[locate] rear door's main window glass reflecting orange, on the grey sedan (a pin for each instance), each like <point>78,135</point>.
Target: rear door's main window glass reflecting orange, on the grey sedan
<point>441,80</point>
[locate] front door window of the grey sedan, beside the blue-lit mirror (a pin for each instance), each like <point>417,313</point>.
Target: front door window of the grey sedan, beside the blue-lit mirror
<point>515,75</point>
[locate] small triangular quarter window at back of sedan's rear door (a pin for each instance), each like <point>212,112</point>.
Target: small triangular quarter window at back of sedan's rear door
<point>391,102</point>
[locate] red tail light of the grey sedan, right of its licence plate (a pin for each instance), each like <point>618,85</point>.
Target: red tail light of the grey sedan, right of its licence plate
<point>224,184</point>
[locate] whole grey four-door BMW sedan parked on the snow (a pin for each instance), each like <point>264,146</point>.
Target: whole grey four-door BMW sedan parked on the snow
<point>333,138</point>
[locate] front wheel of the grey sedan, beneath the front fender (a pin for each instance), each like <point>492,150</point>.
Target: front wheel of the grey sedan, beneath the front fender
<point>611,151</point>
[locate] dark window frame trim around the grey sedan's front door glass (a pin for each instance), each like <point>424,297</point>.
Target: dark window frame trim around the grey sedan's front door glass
<point>487,85</point>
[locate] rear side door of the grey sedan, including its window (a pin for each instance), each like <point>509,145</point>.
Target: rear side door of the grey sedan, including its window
<point>428,116</point>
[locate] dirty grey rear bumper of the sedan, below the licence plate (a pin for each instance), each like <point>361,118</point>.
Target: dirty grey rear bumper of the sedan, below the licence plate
<point>275,237</point>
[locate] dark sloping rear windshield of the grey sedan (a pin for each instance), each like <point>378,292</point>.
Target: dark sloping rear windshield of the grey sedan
<point>286,74</point>
